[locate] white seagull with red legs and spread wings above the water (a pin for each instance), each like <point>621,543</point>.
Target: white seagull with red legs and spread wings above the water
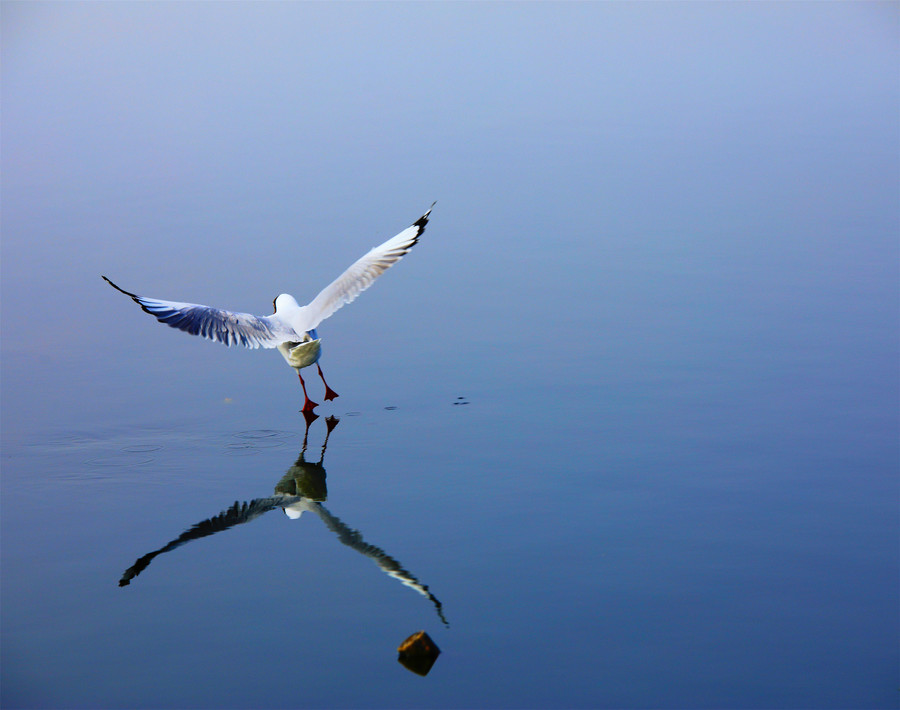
<point>292,327</point>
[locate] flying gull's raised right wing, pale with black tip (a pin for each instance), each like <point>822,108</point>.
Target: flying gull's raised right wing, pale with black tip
<point>362,274</point>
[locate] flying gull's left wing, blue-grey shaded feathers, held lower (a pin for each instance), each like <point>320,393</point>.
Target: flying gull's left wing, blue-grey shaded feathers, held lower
<point>215,324</point>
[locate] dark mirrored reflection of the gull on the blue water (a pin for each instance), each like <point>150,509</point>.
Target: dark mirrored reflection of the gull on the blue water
<point>301,489</point>
